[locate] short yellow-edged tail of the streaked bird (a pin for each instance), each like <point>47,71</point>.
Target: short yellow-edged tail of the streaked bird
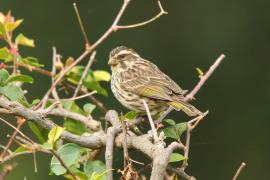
<point>186,107</point>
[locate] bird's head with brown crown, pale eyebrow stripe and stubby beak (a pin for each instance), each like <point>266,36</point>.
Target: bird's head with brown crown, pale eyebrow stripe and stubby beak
<point>121,58</point>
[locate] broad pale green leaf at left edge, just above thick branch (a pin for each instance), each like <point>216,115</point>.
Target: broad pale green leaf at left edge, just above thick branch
<point>12,92</point>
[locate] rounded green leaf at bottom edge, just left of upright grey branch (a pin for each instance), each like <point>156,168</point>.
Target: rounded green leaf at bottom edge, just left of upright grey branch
<point>95,167</point>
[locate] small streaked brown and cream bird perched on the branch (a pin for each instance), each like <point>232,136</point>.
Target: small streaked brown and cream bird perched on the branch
<point>135,80</point>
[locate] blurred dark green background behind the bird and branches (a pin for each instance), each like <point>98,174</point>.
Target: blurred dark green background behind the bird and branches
<point>193,34</point>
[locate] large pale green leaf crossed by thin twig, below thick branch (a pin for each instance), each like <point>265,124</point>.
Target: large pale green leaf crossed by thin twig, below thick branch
<point>70,154</point>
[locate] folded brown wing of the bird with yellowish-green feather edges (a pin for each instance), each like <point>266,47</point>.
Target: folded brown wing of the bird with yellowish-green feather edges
<point>145,79</point>
